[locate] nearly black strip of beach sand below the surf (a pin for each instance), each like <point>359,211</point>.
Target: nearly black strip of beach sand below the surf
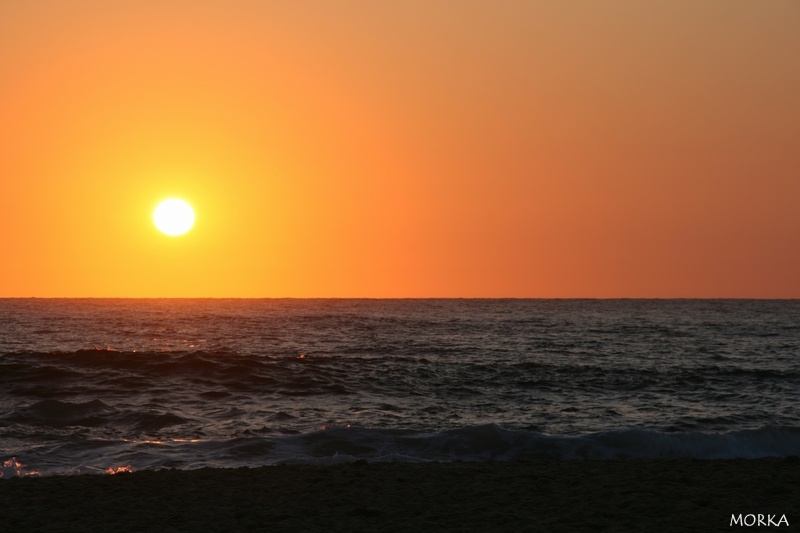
<point>551,496</point>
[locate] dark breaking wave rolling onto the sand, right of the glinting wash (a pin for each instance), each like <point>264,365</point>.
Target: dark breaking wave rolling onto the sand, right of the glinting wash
<point>492,442</point>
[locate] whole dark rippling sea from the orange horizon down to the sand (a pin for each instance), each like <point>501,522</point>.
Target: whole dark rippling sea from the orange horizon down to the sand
<point>97,385</point>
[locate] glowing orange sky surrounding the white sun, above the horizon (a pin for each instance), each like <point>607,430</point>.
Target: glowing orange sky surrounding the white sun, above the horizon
<point>521,148</point>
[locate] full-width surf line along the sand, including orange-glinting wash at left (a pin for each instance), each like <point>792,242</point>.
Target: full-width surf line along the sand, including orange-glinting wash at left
<point>333,445</point>
